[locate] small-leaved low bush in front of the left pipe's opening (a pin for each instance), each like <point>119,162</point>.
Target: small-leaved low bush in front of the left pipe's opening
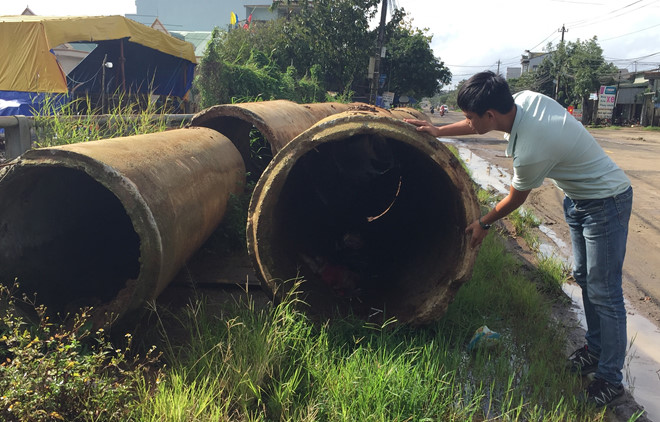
<point>64,372</point>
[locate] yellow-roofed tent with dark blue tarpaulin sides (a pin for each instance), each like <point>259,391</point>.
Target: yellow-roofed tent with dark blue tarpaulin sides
<point>144,59</point>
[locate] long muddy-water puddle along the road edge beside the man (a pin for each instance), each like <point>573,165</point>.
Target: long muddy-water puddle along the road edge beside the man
<point>642,368</point>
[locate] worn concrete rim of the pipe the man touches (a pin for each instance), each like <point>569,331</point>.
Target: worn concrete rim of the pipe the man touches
<point>350,125</point>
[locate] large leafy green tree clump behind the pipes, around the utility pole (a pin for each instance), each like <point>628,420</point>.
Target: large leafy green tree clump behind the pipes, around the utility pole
<point>320,45</point>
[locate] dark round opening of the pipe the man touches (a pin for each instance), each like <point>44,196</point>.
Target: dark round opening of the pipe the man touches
<point>370,222</point>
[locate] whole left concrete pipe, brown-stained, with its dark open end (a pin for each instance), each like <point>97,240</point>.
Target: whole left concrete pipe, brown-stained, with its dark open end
<point>109,223</point>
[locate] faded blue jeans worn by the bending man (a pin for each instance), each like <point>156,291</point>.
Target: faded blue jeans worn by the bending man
<point>599,230</point>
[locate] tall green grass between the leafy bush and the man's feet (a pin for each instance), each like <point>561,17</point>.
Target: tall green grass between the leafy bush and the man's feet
<point>272,362</point>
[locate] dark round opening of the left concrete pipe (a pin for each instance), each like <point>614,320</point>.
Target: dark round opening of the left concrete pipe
<point>67,237</point>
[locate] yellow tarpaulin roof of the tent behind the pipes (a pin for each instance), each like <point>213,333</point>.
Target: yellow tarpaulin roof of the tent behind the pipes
<point>28,40</point>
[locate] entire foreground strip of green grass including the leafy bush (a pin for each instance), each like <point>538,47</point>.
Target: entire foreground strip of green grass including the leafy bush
<point>244,361</point>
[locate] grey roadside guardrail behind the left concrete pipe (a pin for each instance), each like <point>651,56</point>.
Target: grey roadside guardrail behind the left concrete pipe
<point>18,129</point>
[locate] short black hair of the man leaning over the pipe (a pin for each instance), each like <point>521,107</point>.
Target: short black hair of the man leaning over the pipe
<point>485,91</point>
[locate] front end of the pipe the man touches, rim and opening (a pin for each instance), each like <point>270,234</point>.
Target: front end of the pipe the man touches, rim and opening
<point>371,213</point>
